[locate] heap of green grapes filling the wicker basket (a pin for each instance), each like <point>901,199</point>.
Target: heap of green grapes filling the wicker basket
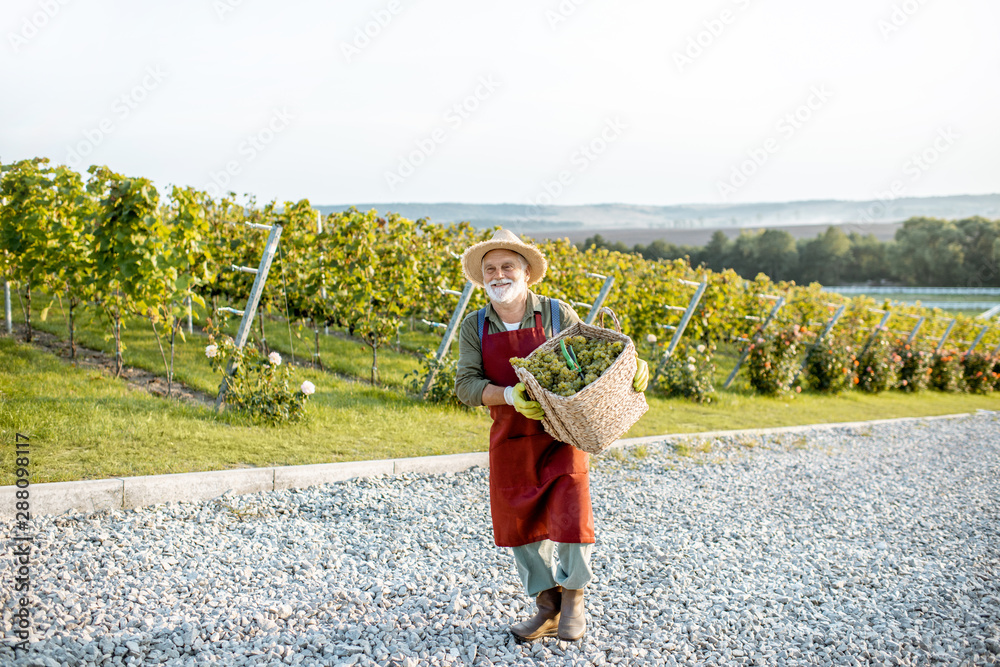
<point>553,373</point>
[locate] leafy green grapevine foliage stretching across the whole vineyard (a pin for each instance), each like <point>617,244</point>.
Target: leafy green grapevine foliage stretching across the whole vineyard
<point>115,241</point>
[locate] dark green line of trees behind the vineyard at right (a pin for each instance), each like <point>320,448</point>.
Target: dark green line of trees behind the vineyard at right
<point>925,252</point>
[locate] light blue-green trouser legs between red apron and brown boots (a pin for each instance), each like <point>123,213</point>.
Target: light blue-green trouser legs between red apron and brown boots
<point>539,571</point>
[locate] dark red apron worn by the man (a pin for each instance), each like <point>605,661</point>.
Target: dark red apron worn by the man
<point>539,487</point>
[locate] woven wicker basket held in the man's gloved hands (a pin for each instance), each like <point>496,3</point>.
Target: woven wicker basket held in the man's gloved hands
<point>601,412</point>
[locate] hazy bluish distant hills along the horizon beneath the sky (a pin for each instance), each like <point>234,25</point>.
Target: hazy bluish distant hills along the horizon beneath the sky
<point>543,221</point>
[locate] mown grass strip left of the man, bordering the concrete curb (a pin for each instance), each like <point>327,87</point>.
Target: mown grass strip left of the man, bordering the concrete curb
<point>85,425</point>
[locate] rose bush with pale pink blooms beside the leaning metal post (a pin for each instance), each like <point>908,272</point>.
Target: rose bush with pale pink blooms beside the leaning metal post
<point>259,389</point>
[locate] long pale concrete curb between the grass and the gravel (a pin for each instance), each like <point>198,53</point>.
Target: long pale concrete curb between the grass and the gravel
<point>54,498</point>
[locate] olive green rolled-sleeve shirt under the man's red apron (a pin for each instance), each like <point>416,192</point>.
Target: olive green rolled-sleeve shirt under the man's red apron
<point>470,379</point>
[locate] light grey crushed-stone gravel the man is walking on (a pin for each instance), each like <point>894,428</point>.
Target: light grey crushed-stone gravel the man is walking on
<point>872,545</point>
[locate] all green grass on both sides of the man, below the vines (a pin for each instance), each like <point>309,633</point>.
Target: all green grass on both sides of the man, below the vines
<point>87,425</point>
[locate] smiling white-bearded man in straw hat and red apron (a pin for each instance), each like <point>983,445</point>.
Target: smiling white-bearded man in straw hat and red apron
<point>539,487</point>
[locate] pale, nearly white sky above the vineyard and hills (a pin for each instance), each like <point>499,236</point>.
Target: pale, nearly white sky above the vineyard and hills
<point>522,101</point>
